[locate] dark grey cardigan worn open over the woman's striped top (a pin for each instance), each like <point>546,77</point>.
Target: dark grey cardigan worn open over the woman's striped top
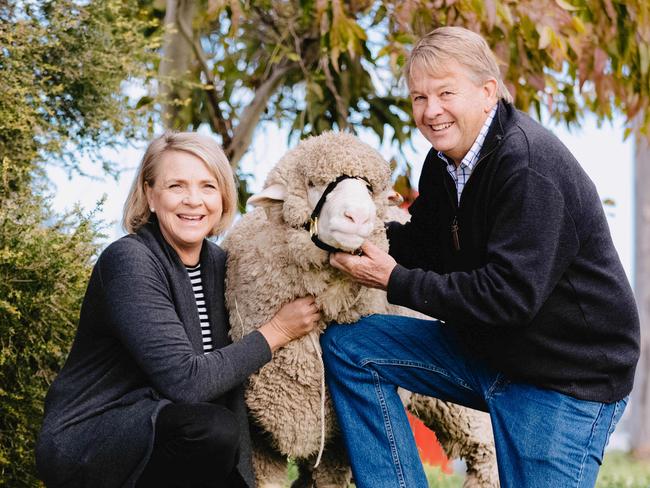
<point>138,347</point>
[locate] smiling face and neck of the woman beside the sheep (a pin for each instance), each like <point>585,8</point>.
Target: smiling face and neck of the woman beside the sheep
<point>187,200</point>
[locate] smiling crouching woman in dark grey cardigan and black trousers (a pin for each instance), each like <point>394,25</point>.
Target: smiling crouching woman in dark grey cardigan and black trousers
<point>151,393</point>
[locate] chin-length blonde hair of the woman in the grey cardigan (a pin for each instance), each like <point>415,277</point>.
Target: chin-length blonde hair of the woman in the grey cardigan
<point>136,208</point>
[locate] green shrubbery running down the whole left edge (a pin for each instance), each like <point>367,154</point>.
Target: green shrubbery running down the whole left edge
<point>62,67</point>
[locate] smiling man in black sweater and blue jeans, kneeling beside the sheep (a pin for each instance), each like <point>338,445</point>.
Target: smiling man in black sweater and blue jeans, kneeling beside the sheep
<point>508,247</point>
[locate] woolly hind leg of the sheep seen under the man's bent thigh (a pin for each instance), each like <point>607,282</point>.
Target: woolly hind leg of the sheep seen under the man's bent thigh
<point>462,432</point>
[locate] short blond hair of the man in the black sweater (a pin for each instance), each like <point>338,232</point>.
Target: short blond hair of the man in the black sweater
<point>458,44</point>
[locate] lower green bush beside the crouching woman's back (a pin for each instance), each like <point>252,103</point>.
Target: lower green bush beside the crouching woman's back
<point>43,275</point>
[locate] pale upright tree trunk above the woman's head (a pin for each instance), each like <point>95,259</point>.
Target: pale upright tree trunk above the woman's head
<point>176,56</point>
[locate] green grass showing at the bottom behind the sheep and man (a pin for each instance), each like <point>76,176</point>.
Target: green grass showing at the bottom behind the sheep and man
<point>619,470</point>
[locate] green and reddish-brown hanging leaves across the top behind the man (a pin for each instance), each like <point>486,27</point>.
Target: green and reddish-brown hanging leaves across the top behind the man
<point>565,55</point>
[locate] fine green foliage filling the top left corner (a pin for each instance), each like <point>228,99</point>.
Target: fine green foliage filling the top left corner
<point>62,68</point>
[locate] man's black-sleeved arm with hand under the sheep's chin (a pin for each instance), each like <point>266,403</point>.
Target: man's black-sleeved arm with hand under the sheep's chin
<point>531,244</point>
